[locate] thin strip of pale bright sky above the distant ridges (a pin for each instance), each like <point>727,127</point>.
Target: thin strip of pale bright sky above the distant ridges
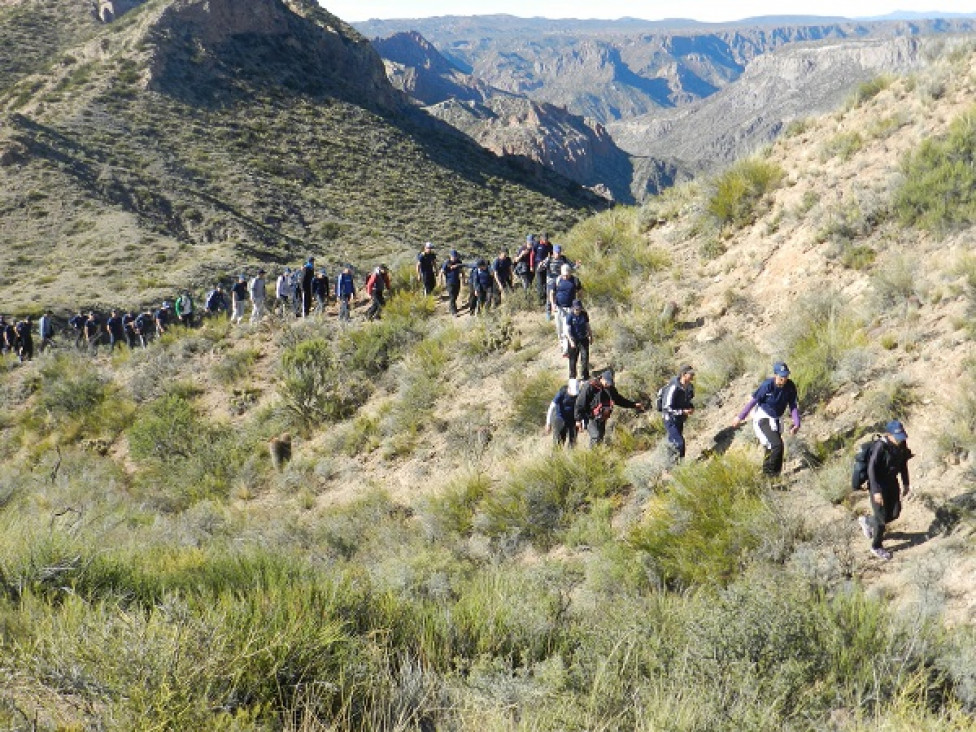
<point>705,10</point>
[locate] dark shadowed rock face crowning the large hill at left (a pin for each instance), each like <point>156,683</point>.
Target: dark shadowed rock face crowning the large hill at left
<point>207,50</point>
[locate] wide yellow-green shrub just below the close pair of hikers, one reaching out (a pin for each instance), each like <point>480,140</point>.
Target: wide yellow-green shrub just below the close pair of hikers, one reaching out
<point>543,498</point>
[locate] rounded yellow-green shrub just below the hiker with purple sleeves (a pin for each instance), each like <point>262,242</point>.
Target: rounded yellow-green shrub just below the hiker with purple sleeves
<point>701,527</point>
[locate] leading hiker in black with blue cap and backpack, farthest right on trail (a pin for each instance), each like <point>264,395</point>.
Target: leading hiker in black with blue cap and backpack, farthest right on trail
<point>887,462</point>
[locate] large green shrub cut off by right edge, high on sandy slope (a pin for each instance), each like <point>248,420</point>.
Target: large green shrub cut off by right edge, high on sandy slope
<point>938,191</point>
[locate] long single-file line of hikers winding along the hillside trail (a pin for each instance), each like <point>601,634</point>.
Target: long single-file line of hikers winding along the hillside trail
<point>583,404</point>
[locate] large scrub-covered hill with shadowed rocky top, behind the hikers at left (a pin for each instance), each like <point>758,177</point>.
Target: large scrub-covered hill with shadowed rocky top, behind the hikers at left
<point>186,139</point>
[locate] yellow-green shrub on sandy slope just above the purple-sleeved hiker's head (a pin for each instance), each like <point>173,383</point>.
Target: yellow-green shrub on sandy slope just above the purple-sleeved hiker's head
<point>817,340</point>
